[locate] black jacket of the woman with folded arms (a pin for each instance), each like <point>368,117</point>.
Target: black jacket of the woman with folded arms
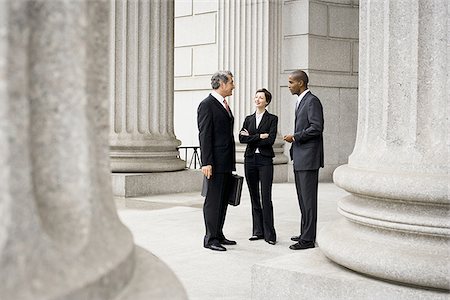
<point>268,125</point>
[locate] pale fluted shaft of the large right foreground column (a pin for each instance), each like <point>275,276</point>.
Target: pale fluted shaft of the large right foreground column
<point>403,101</point>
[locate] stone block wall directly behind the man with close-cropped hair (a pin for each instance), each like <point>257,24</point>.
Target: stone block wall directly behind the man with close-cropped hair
<point>321,37</point>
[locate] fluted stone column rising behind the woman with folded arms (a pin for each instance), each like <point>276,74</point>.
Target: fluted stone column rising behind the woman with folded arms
<point>249,39</point>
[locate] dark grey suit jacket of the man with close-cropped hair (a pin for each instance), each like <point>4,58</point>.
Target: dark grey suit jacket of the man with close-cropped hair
<point>307,149</point>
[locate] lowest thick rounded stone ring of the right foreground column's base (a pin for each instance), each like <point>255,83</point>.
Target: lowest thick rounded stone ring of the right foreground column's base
<point>414,259</point>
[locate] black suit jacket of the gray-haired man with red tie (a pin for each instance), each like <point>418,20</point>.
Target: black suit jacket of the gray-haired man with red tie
<point>215,128</point>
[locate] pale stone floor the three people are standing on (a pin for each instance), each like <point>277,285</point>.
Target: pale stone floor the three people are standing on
<point>171,227</point>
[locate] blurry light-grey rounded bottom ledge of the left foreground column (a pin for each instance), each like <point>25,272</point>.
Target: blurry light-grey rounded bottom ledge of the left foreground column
<point>152,279</point>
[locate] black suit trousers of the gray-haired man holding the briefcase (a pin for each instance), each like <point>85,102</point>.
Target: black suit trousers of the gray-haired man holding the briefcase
<point>215,207</point>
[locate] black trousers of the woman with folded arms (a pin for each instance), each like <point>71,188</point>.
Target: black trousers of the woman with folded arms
<point>259,170</point>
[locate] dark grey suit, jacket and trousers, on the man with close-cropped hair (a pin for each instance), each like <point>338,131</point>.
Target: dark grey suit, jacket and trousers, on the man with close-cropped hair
<point>307,154</point>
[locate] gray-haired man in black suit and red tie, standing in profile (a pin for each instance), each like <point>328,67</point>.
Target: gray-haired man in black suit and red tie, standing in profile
<point>215,125</point>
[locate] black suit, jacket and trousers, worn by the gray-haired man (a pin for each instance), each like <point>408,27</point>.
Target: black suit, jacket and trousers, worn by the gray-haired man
<point>217,149</point>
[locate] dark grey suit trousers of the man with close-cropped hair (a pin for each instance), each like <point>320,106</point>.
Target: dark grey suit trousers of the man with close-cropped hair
<point>306,183</point>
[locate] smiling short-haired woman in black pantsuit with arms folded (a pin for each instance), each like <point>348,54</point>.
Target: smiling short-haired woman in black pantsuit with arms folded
<point>259,132</point>
